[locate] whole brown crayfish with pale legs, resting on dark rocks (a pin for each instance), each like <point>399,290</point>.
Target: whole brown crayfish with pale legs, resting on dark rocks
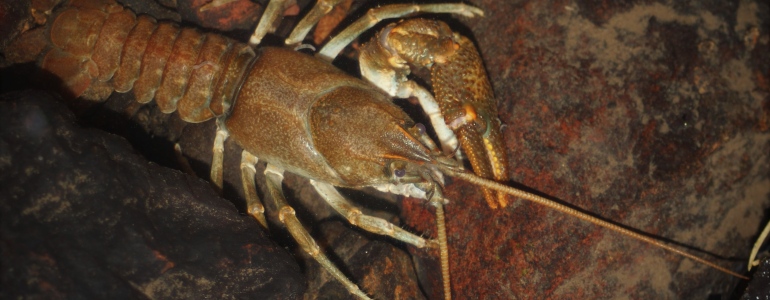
<point>301,114</point>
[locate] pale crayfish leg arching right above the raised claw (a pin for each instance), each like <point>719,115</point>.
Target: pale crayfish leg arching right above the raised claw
<point>376,15</point>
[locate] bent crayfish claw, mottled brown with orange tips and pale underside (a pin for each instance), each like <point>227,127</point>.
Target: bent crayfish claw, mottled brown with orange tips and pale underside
<point>463,101</point>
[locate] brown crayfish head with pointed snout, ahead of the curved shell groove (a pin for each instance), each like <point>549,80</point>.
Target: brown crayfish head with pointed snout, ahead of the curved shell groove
<point>369,141</point>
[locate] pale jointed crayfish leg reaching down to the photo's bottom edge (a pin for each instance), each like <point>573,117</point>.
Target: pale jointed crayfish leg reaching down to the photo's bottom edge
<point>274,177</point>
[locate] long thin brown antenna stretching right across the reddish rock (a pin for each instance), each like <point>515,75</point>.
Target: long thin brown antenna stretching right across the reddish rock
<point>578,214</point>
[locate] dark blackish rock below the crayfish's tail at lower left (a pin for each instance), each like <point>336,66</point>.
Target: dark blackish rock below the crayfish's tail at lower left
<point>83,216</point>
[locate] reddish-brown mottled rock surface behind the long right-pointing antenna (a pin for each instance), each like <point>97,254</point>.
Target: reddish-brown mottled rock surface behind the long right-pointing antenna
<point>655,115</point>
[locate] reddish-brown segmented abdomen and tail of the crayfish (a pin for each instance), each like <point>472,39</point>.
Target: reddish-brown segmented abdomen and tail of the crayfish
<point>100,48</point>
